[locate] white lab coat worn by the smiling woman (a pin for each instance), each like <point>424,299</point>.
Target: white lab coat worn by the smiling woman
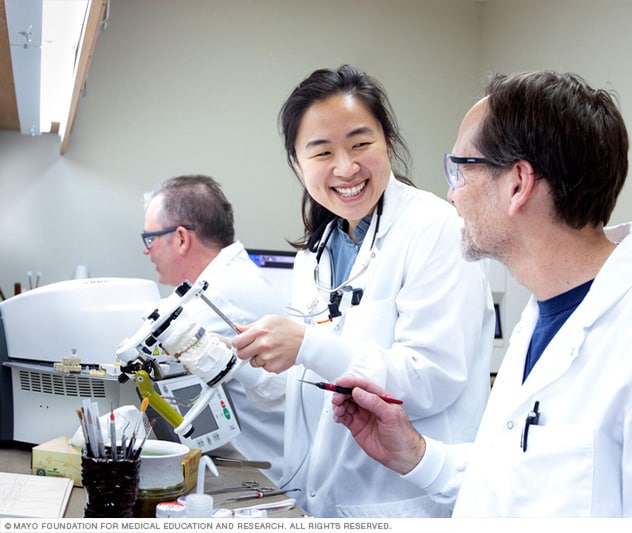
<point>423,330</point>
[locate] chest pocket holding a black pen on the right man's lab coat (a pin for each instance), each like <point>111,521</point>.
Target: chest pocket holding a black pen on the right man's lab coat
<point>558,467</point>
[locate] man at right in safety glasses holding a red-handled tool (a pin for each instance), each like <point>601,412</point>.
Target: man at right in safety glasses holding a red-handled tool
<point>537,167</point>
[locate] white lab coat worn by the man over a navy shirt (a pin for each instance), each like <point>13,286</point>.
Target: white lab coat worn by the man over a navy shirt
<point>578,460</point>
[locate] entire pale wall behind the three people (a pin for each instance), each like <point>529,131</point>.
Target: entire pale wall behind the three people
<point>196,85</point>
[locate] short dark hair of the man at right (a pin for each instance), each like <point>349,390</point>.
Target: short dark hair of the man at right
<point>573,136</point>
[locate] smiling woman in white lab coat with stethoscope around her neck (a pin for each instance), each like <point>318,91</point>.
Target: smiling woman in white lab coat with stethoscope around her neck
<point>379,289</point>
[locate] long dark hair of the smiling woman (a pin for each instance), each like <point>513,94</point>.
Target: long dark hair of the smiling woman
<point>318,86</point>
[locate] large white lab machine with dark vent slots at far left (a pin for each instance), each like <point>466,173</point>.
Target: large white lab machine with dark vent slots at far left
<point>83,318</point>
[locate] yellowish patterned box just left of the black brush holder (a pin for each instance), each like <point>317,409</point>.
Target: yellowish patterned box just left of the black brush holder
<point>57,458</point>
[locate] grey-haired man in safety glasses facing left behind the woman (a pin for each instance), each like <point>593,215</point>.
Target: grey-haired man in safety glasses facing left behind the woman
<point>189,235</point>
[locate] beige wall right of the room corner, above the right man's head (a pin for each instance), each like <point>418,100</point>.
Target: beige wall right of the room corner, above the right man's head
<point>589,37</point>
